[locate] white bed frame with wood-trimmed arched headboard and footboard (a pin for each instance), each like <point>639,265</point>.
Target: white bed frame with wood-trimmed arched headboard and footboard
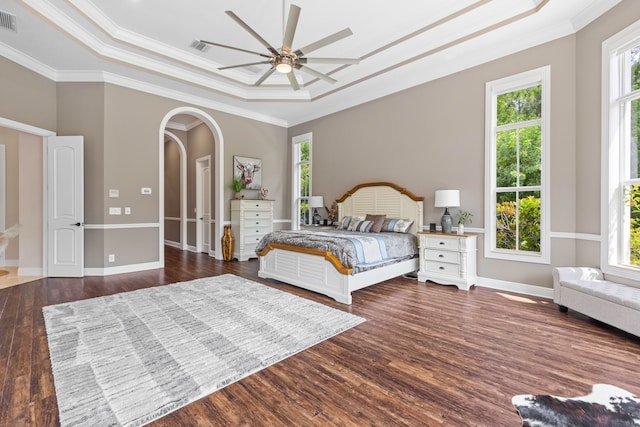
<point>322,271</point>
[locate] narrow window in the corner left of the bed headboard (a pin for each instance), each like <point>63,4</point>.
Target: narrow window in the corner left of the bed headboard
<point>301,186</point>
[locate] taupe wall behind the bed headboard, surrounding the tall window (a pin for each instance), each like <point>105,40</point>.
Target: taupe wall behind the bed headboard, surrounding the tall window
<point>432,136</point>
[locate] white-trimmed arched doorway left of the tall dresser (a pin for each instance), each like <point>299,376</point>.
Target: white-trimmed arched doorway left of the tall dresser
<point>217,190</point>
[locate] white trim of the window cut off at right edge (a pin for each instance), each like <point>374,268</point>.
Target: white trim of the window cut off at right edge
<point>612,242</point>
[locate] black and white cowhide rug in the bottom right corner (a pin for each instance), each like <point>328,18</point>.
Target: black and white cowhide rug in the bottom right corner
<point>606,405</point>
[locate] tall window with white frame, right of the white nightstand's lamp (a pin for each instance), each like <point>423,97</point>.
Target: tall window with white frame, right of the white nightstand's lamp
<point>517,123</point>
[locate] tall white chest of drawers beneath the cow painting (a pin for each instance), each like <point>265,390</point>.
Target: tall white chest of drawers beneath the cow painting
<point>250,220</point>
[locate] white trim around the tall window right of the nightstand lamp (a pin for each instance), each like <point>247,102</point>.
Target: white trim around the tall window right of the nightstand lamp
<point>492,89</point>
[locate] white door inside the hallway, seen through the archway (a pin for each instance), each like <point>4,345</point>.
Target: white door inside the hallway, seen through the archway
<point>203,204</point>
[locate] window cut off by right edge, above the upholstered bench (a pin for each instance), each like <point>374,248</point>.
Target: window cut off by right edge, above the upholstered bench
<point>621,123</point>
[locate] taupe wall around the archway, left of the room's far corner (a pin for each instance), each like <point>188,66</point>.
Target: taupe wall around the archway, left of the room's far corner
<point>121,129</point>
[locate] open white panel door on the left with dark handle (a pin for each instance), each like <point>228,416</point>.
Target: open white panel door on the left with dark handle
<point>65,211</point>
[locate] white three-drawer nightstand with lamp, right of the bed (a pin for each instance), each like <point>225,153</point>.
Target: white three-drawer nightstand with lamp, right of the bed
<point>448,259</point>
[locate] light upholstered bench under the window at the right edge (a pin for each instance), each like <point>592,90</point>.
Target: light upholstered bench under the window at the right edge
<point>585,290</point>
